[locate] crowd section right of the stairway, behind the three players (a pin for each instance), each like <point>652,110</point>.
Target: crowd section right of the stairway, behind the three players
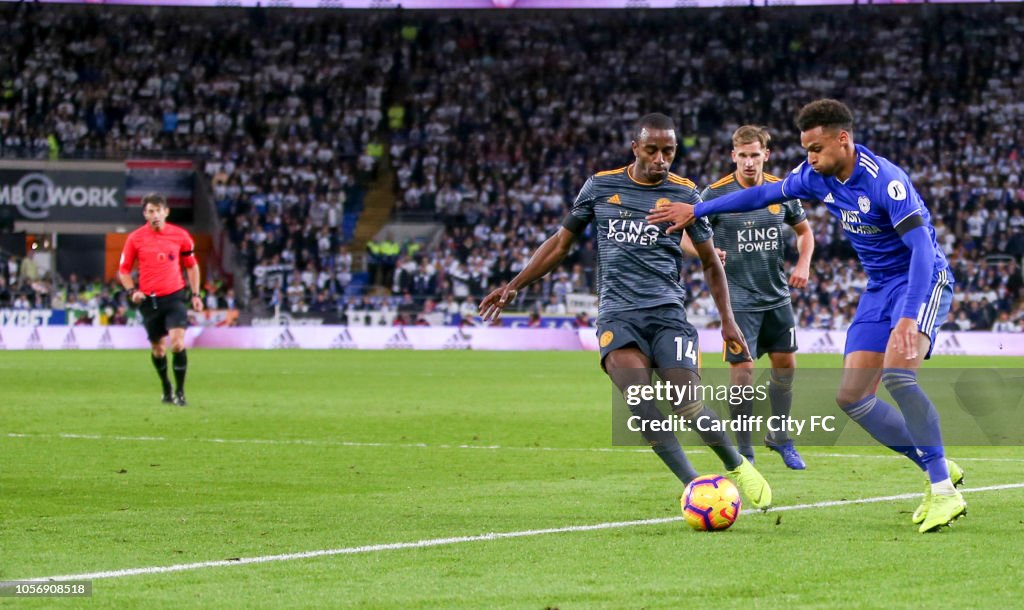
<point>506,124</point>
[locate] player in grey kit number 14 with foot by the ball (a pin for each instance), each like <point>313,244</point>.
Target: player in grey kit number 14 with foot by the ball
<point>643,320</point>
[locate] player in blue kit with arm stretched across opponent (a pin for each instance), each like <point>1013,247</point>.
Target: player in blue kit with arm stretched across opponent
<point>909,294</point>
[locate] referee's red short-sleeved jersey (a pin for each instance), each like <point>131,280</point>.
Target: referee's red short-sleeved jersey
<point>161,256</point>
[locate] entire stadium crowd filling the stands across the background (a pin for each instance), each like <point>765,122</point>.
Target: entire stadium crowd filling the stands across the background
<point>492,122</point>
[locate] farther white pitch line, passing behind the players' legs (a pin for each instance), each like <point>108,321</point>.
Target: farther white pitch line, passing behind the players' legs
<point>344,444</point>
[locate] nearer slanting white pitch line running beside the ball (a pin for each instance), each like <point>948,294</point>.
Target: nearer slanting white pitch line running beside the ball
<point>459,540</point>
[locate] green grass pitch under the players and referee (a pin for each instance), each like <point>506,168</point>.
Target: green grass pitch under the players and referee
<point>284,453</point>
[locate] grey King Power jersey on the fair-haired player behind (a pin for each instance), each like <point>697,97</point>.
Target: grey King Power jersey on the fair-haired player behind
<point>754,244</point>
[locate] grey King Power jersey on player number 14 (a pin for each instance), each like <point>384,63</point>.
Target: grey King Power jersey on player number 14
<point>638,263</point>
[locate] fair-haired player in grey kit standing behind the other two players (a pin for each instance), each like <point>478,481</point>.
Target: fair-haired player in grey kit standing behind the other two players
<point>753,244</point>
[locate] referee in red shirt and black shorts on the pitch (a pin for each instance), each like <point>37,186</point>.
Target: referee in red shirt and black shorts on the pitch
<point>162,249</point>
